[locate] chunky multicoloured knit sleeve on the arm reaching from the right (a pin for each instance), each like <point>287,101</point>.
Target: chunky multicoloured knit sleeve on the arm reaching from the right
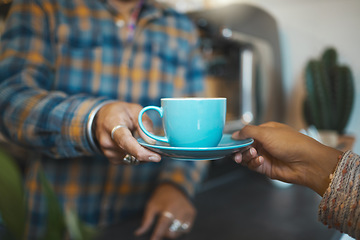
<point>339,207</point>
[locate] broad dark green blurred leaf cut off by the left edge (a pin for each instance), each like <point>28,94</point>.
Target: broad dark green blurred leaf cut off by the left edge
<point>12,204</point>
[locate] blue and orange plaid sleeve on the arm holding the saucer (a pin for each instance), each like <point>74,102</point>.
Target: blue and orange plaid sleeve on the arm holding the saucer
<point>32,114</point>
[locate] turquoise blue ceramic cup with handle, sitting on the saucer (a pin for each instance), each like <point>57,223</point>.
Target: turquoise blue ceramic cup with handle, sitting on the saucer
<point>189,122</point>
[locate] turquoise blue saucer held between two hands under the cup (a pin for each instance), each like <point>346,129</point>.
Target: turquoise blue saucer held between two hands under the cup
<point>226,147</point>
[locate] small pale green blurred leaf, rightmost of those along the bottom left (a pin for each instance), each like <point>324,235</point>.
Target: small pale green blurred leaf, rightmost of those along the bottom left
<point>77,229</point>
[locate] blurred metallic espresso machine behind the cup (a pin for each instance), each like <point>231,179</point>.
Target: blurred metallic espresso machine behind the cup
<point>241,48</point>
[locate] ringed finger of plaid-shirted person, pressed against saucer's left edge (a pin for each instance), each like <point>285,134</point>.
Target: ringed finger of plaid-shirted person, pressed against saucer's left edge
<point>124,138</point>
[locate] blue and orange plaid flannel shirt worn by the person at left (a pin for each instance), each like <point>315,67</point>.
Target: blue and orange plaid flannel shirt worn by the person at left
<point>59,60</point>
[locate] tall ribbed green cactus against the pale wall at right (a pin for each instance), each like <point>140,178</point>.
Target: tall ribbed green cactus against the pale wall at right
<point>330,95</point>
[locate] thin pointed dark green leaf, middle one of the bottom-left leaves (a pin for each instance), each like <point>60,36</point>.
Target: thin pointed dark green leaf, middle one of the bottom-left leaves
<point>55,222</point>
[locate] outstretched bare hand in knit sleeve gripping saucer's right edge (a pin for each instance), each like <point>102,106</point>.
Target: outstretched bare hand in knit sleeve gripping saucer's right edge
<point>282,153</point>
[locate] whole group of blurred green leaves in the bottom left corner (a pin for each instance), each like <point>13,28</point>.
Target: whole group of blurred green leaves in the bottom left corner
<point>14,212</point>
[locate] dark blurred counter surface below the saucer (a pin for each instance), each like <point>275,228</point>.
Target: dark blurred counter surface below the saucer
<point>245,205</point>
